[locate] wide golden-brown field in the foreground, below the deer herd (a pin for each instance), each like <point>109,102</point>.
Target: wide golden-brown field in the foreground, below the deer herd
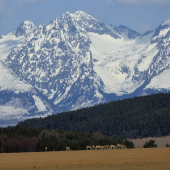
<point>130,159</point>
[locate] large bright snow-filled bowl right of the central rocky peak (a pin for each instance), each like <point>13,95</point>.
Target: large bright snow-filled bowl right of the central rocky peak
<point>114,61</point>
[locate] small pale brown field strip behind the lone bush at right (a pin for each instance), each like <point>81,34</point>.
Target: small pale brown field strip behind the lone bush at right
<point>160,141</point>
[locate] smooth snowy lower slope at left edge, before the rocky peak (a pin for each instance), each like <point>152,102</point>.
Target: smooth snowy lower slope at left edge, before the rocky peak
<point>18,99</point>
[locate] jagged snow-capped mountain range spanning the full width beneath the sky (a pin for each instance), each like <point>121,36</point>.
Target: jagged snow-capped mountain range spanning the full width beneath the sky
<point>77,61</point>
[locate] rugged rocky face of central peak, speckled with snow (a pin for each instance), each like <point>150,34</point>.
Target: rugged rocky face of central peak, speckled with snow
<point>56,59</point>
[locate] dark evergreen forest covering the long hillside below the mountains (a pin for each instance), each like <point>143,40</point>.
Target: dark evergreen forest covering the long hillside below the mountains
<point>129,118</point>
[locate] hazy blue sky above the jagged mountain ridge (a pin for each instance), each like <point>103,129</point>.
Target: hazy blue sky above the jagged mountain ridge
<point>139,15</point>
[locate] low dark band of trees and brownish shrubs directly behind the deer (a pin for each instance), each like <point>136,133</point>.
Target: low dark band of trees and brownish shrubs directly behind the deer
<point>25,139</point>
